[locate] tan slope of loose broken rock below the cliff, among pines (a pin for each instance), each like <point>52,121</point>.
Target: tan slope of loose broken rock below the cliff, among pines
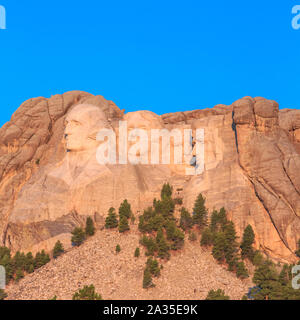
<point>189,274</point>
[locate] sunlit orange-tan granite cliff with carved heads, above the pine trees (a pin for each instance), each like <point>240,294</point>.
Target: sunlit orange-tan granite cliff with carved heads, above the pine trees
<point>50,179</point>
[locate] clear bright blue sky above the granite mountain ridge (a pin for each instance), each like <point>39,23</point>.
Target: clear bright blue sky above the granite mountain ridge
<point>163,56</point>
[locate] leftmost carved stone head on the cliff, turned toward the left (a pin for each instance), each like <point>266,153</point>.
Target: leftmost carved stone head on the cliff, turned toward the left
<point>81,127</point>
